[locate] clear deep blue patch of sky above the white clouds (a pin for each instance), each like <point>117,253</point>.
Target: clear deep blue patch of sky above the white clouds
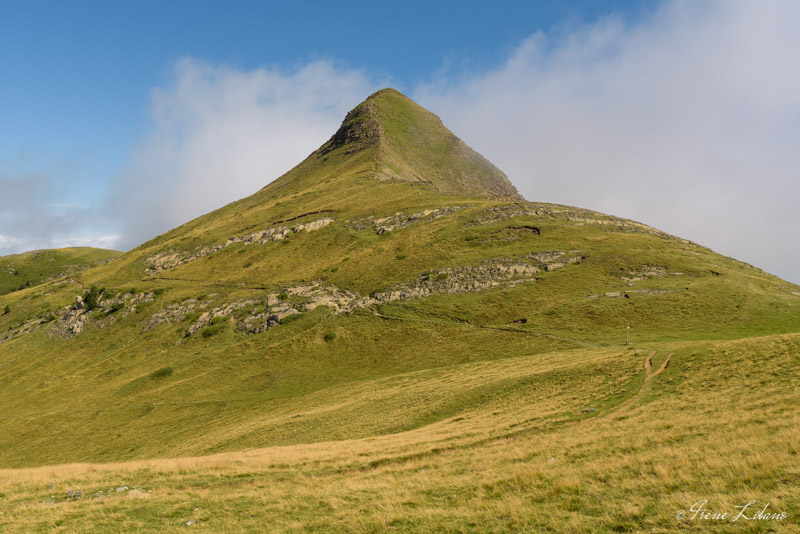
<point>77,76</point>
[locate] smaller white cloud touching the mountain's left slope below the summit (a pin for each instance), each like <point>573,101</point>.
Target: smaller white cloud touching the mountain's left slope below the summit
<point>220,134</point>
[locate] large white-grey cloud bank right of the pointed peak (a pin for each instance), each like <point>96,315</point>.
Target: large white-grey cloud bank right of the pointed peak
<point>688,120</point>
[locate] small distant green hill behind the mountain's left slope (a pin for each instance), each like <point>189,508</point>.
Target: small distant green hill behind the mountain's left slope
<point>19,271</point>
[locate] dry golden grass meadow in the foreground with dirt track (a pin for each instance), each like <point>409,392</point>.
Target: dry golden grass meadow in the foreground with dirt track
<point>719,424</point>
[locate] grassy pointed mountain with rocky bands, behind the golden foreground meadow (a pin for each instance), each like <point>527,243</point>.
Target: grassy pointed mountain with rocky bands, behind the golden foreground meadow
<point>392,251</point>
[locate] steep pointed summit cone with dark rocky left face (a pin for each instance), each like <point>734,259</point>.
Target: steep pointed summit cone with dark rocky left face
<point>409,143</point>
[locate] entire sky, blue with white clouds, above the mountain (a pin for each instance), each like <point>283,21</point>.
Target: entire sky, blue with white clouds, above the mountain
<point>122,120</point>
